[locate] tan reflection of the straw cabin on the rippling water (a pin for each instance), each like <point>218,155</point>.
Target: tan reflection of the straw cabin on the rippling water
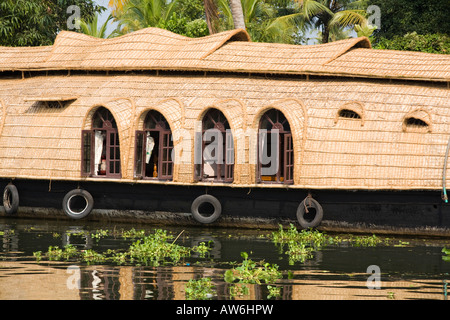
<point>168,283</point>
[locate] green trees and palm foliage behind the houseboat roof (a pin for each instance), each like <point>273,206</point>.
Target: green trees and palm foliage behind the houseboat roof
<point>414,25</point>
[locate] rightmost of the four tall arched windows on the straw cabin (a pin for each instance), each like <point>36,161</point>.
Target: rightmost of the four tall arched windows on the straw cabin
<point>275,151</point>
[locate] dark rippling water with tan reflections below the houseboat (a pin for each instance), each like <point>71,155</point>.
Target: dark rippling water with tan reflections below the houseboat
<point>413,270</point>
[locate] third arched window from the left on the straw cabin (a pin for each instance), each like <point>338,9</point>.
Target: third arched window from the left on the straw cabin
<point>217,149</point>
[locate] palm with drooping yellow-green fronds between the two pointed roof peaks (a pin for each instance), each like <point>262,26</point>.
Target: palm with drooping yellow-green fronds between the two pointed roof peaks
<point>332,16</point>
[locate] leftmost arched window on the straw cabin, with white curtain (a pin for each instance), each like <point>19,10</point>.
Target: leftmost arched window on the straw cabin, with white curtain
<point>101,147</point>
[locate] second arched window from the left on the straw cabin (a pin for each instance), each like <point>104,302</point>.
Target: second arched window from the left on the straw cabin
<point>154,147</point>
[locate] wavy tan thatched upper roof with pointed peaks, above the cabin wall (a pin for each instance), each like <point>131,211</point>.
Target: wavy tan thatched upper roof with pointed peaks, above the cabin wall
<point>230,51</point>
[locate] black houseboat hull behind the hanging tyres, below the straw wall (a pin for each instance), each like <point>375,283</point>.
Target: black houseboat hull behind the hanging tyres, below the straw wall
<point>407,212</point>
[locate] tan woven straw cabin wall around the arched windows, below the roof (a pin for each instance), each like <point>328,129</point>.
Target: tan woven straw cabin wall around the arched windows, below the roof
<point>374,152</point>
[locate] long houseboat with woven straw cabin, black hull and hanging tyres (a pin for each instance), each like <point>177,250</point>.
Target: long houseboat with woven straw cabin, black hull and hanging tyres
<point>223,131</point>
